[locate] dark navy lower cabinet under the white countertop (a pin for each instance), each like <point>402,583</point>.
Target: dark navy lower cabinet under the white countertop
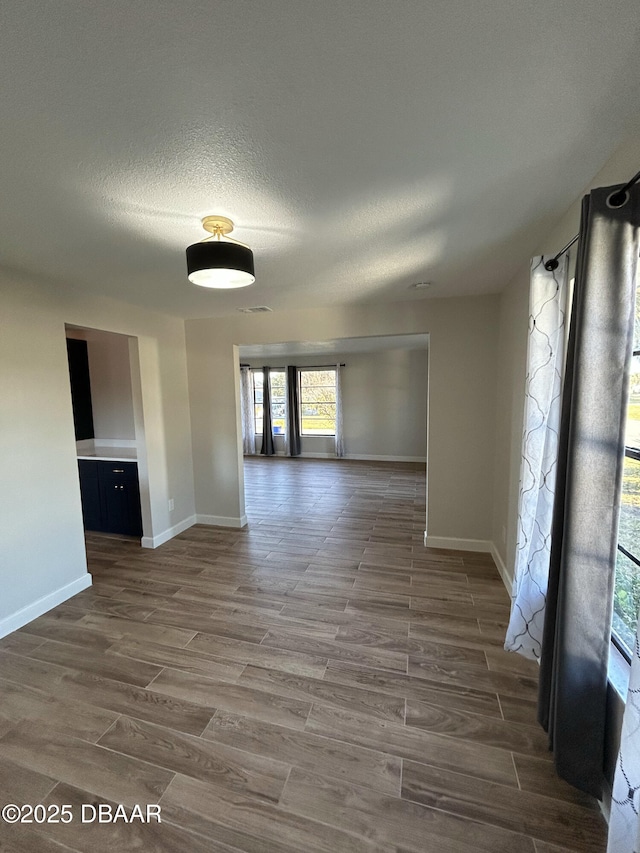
<point>110,496</point>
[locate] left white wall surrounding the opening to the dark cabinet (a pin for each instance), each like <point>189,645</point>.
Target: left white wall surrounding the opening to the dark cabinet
<point>42,557</point>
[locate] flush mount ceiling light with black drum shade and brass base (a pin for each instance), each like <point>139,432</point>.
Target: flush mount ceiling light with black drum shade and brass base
<point>220,263</point>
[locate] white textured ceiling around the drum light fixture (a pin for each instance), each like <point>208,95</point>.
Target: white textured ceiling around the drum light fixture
<point>359,145</point>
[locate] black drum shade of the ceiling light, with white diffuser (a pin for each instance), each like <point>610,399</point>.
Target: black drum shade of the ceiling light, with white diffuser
<point>220,264</point>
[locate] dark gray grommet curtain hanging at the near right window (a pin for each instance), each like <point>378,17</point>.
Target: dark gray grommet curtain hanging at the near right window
<point>575,648</point>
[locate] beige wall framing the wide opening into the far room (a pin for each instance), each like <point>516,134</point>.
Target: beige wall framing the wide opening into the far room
<point>463,347</point>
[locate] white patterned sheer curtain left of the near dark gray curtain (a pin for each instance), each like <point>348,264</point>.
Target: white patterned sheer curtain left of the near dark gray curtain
<point>545,358</point>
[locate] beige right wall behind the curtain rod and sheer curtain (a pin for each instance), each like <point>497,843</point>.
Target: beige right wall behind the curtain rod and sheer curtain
<point>512,351</point>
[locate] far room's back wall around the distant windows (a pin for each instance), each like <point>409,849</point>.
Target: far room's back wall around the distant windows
<point>384,399</point>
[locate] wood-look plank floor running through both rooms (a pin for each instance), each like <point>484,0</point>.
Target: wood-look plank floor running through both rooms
<point>318,681</point>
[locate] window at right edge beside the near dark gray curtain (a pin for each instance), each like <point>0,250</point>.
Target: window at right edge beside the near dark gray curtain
<point>627,585</point>
